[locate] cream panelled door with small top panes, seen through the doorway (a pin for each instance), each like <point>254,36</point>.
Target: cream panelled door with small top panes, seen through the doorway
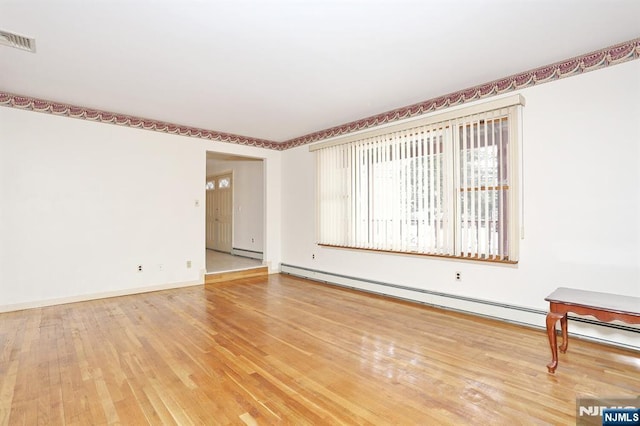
<point>219,226</point>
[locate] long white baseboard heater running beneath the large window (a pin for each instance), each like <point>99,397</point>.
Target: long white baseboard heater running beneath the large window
<point>616,333</point>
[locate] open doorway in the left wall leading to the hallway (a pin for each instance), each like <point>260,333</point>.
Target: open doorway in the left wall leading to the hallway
<point>234,228</point>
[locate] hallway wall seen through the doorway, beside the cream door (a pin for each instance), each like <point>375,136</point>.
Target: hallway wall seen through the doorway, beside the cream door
<point>248,200</point>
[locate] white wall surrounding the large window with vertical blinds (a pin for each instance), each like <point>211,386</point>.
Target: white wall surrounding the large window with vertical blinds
<point>581,206</point>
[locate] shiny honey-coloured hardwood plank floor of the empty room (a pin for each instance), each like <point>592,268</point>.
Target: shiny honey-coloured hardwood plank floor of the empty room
<point>284,350</point>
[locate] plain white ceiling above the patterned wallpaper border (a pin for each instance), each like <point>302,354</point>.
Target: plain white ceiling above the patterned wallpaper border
<point>279,69</point>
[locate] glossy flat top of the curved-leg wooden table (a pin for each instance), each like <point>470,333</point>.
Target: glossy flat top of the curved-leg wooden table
<point>594,299</point>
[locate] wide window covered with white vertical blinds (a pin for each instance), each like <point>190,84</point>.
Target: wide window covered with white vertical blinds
<point>445,185</point>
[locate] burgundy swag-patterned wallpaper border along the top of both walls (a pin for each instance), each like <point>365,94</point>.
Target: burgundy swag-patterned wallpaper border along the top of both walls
<point>599,59</point>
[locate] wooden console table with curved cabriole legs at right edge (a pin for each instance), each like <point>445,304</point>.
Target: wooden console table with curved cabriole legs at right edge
<point>604,306</point>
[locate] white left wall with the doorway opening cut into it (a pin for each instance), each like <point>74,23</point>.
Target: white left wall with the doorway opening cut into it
<point>83,203</point>
